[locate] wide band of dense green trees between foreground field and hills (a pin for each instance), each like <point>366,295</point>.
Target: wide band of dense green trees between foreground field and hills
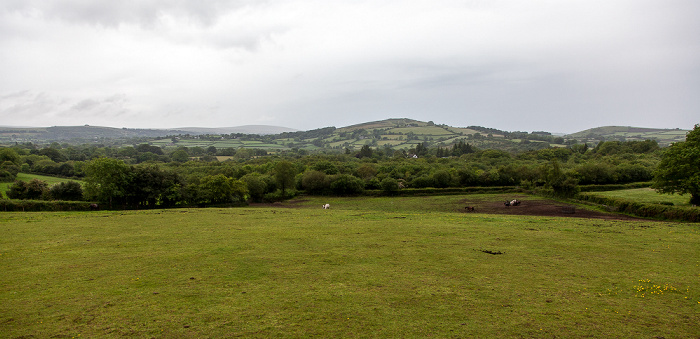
<point>120,177</point>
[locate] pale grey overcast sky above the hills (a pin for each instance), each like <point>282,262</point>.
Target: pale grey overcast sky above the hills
<point>541,65</point>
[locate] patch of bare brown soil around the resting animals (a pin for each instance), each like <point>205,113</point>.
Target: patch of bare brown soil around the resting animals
<point>540,208</point>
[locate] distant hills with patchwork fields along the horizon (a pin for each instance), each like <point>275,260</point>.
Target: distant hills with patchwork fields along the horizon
<point>398,134</point>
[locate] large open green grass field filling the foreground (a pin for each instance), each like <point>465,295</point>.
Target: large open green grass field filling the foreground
<point>368,267</point>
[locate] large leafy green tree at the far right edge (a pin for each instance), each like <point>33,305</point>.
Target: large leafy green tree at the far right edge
<point>679,169</point>
